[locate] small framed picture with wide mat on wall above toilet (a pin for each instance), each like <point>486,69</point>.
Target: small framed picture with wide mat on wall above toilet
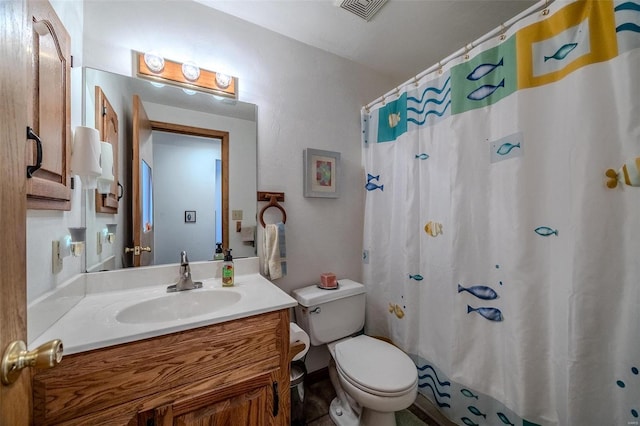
<point>321,173</point>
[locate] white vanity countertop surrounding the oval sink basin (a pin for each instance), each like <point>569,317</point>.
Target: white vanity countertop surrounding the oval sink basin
<point>91,323</point>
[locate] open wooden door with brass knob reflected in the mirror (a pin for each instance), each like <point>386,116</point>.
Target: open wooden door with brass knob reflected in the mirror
<point>142,200</point>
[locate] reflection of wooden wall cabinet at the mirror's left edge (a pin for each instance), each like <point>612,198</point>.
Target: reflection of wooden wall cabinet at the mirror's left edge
<point>107,125</point>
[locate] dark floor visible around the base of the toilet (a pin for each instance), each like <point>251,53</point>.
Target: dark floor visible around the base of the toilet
<point>318,395</point>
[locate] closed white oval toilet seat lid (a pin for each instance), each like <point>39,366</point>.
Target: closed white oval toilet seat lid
<point>375,366</point>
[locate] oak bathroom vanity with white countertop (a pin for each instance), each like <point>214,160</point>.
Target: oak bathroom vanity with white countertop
<point>227,367</point>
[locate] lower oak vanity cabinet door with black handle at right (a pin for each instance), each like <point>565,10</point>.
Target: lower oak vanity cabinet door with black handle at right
<point>251,402</point>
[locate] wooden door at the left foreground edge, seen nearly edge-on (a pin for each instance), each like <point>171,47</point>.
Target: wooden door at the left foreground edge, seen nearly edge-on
<point>15,400</point>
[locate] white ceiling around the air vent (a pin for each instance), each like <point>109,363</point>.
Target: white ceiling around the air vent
<point>403,39</point>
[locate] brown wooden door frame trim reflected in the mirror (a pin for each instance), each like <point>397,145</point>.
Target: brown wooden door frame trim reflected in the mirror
<point>224,140</point>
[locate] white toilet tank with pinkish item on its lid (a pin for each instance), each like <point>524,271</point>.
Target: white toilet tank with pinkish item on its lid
<point>329,315</point>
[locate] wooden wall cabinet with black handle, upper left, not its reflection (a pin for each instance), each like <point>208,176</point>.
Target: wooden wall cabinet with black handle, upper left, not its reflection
<point>49,110</point>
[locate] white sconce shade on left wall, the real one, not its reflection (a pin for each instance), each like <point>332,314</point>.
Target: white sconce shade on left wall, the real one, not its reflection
<point>85,156</point>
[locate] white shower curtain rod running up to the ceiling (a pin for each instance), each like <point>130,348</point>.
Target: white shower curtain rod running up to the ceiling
<point>542,5</point>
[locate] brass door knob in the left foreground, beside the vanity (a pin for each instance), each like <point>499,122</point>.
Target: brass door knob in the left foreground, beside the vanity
<point>16,357</point>
